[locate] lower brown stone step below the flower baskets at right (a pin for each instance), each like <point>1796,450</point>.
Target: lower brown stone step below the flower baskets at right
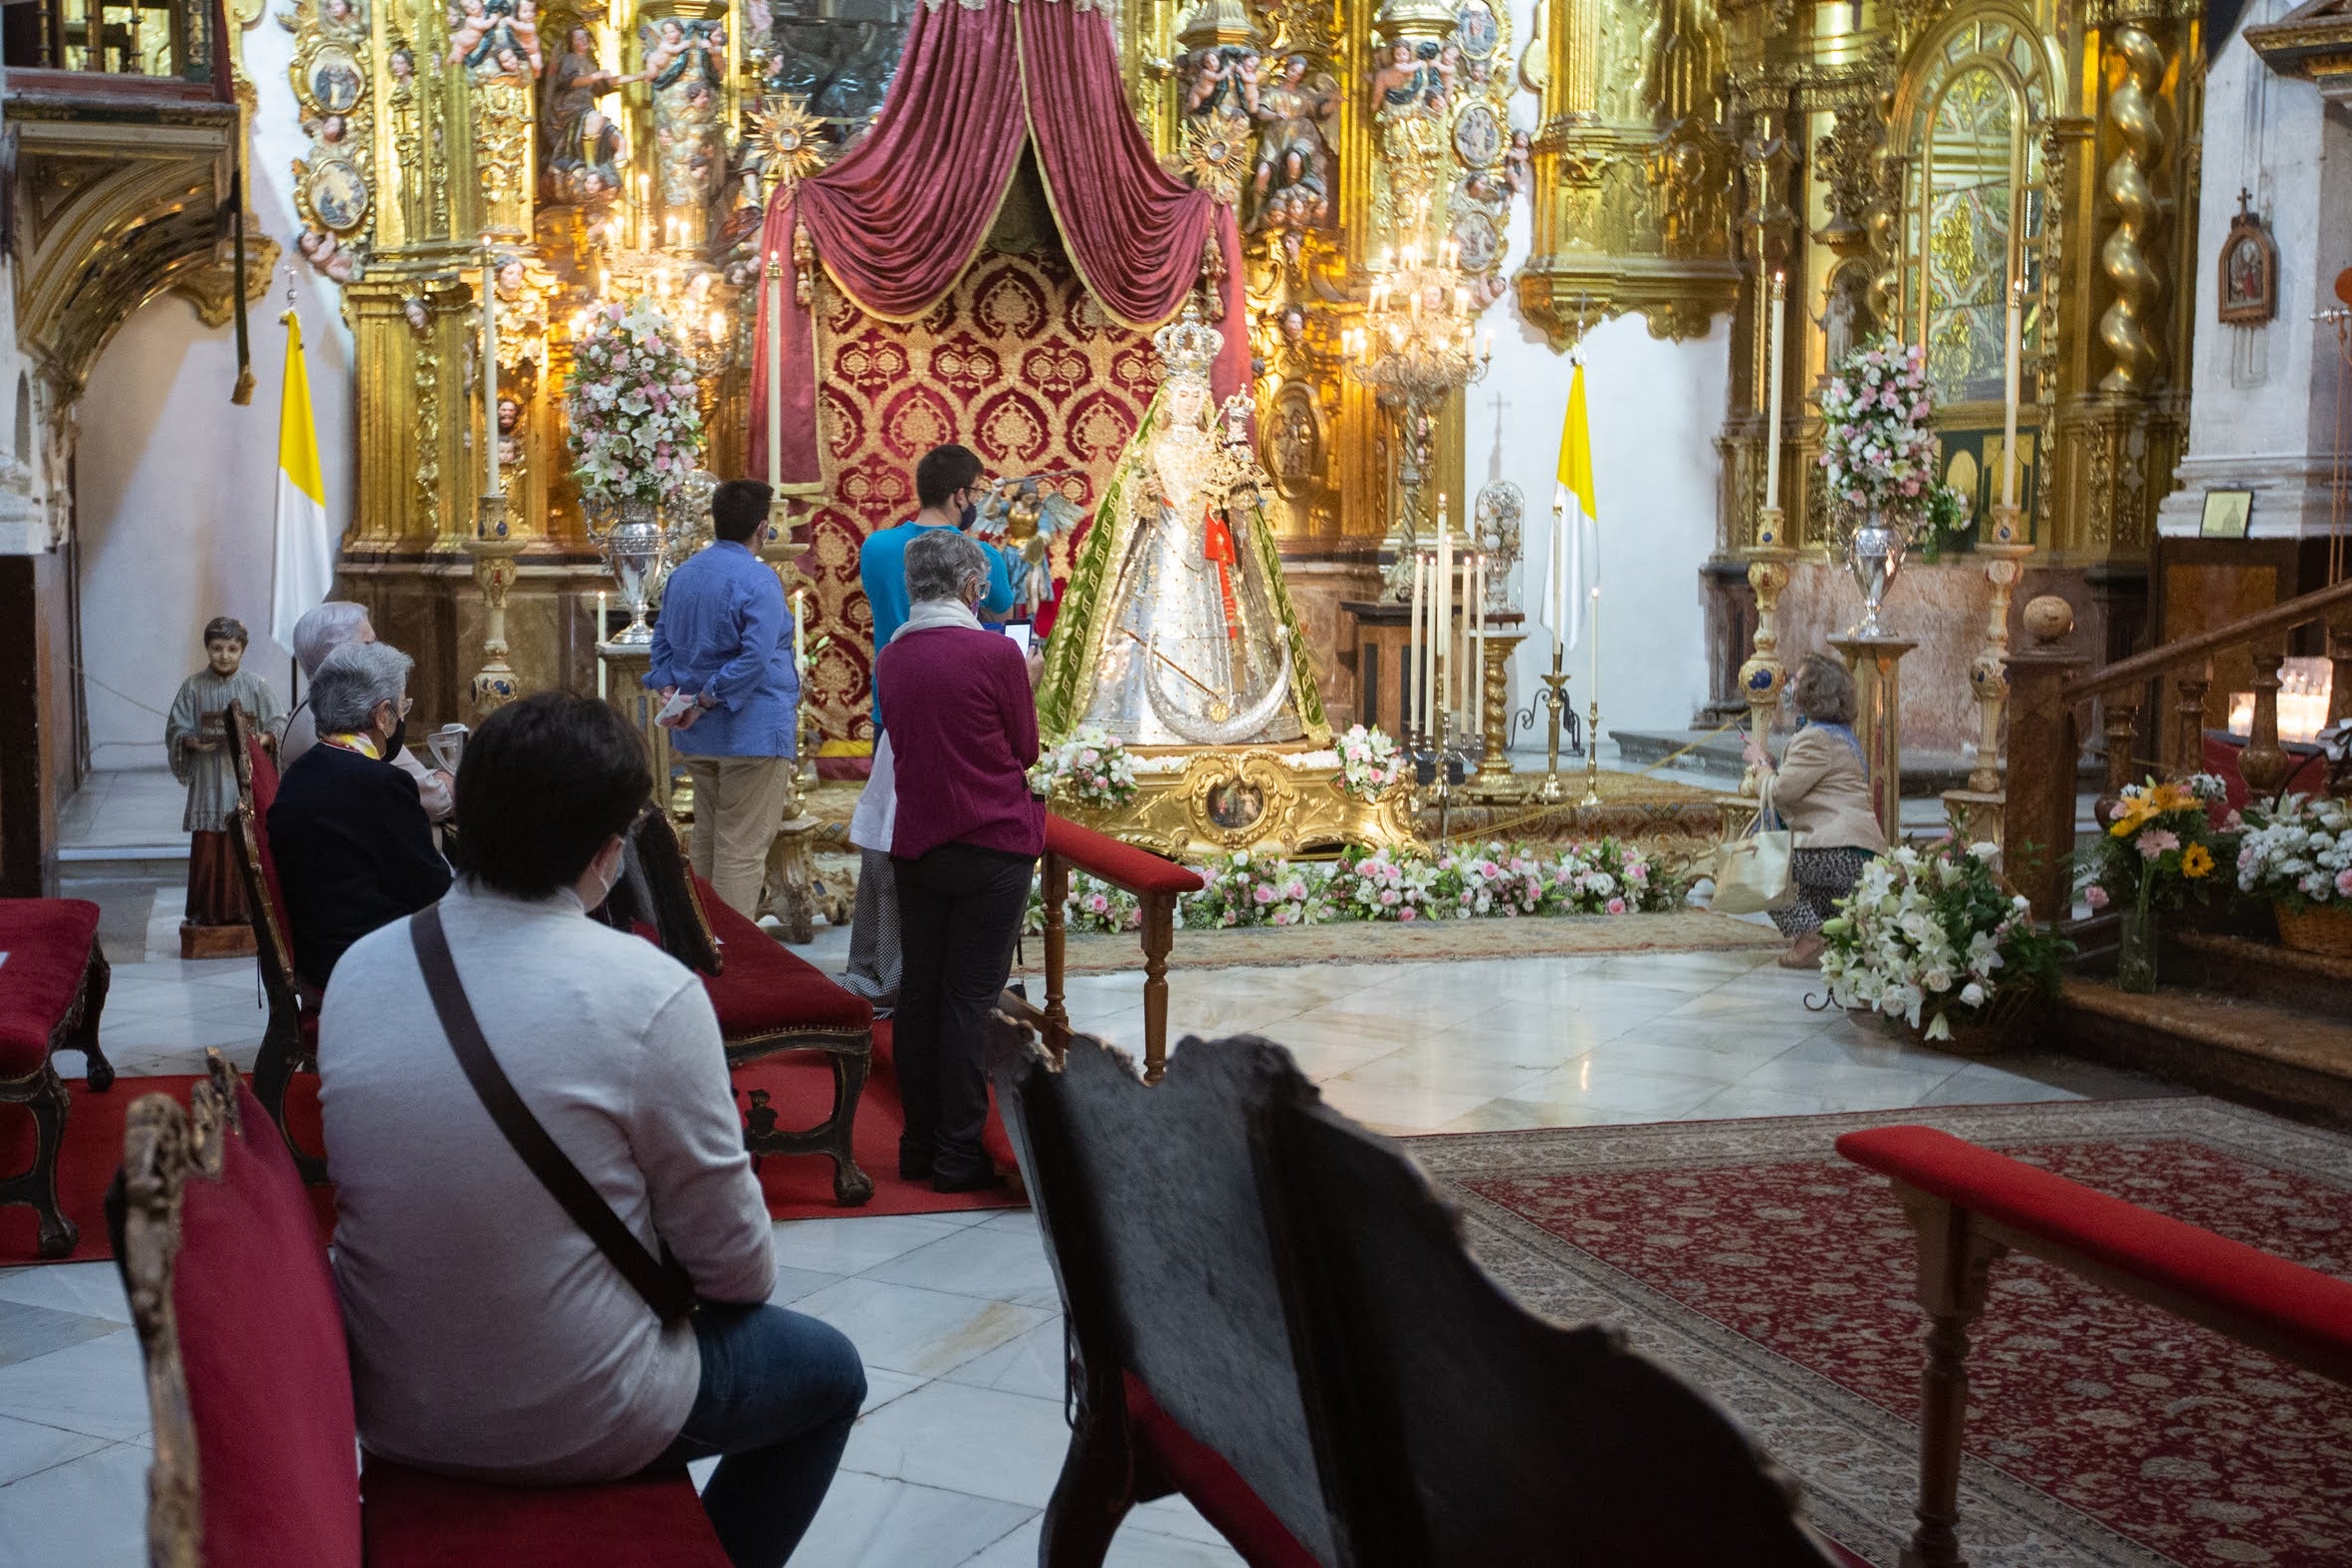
<point>2252,1052</point>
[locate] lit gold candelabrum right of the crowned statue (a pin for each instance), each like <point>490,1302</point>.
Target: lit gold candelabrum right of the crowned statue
<point>1417,349</point>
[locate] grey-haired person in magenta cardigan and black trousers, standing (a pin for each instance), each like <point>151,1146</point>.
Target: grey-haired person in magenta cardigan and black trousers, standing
<point>965,843</point>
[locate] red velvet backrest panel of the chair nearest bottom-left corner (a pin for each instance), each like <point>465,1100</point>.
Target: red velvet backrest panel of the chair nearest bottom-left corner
<point>269,1381</point>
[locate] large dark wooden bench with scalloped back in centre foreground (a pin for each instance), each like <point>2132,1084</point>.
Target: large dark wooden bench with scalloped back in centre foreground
<point>1363,1398</point>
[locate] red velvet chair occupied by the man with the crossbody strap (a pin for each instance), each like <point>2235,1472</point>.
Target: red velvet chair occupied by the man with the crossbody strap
<point>250,1386</point>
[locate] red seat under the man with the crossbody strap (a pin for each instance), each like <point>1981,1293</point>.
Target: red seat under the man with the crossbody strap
<point>417,1520</point>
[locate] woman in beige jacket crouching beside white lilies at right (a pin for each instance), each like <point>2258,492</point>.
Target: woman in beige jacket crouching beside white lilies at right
<point>1822,793</point>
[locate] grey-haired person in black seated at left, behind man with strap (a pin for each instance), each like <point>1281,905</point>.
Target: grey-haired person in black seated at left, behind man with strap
<point>349,833</point>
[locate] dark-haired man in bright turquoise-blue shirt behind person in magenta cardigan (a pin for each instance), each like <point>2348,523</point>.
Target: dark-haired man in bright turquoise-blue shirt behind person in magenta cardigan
<point>949,490</point>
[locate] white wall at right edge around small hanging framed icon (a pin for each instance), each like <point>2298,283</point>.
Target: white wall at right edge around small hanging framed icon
<point>2264,398</point>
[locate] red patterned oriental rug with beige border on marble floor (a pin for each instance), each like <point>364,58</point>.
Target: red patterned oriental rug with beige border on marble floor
<point>1779,1278</point>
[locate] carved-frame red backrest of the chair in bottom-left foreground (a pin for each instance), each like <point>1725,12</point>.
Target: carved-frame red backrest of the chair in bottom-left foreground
<point>243,1339</point>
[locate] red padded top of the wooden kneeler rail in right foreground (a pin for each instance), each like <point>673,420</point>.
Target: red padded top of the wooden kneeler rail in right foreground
<point>2109,1231</point>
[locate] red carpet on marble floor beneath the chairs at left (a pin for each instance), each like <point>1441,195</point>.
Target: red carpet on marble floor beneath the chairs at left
<point>799,1188</point>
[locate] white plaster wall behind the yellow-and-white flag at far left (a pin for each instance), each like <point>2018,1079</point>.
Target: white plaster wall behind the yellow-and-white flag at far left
<point>178,485</point>
